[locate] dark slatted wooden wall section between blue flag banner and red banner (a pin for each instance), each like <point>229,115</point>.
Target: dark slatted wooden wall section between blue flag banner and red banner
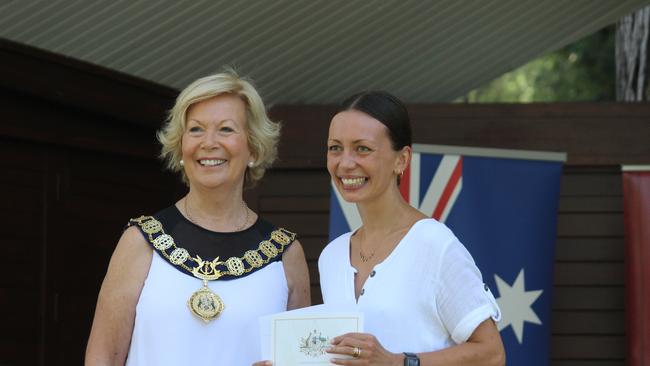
<point>588,309</point>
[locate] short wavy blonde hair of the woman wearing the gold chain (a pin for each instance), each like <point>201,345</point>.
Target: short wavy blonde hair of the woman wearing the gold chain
<point>263,134</point>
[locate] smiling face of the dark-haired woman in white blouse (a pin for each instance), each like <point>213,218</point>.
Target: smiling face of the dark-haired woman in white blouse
<point>360,156</point>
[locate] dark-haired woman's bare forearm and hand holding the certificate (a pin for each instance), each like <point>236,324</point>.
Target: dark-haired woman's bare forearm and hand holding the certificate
<point>484,347</point>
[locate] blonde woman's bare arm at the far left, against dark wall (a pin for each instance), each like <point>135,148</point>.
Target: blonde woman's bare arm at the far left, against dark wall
<point>110,335</point>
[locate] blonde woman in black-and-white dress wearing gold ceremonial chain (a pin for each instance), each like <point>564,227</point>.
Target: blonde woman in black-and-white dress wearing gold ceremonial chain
<point>188,284</point>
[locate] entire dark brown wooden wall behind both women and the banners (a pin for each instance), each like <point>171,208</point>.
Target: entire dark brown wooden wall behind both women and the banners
<point>79,159</point>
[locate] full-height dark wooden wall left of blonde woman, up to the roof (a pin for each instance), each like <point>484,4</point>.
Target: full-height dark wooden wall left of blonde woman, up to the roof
<point>78,159</point>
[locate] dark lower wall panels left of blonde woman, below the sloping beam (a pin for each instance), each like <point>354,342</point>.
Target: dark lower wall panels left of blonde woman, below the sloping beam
<point>63,212</point>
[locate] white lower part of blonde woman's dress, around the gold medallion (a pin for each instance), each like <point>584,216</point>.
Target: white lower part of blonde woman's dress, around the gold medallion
<point>167,333</point>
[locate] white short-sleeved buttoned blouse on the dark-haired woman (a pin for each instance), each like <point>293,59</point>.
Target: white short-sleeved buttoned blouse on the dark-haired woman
<point>426,295</point>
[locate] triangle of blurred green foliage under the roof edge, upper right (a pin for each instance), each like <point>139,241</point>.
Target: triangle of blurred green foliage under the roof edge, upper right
<point>582,71</point>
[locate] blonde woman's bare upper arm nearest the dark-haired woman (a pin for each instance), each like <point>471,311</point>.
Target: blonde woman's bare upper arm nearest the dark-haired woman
<point>295,269</point>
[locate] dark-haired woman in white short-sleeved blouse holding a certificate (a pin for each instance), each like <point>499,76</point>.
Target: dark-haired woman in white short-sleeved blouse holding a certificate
<point>422,295</point>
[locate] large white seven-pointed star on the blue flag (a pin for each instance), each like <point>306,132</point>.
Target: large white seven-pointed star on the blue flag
<point>515,303</point>
